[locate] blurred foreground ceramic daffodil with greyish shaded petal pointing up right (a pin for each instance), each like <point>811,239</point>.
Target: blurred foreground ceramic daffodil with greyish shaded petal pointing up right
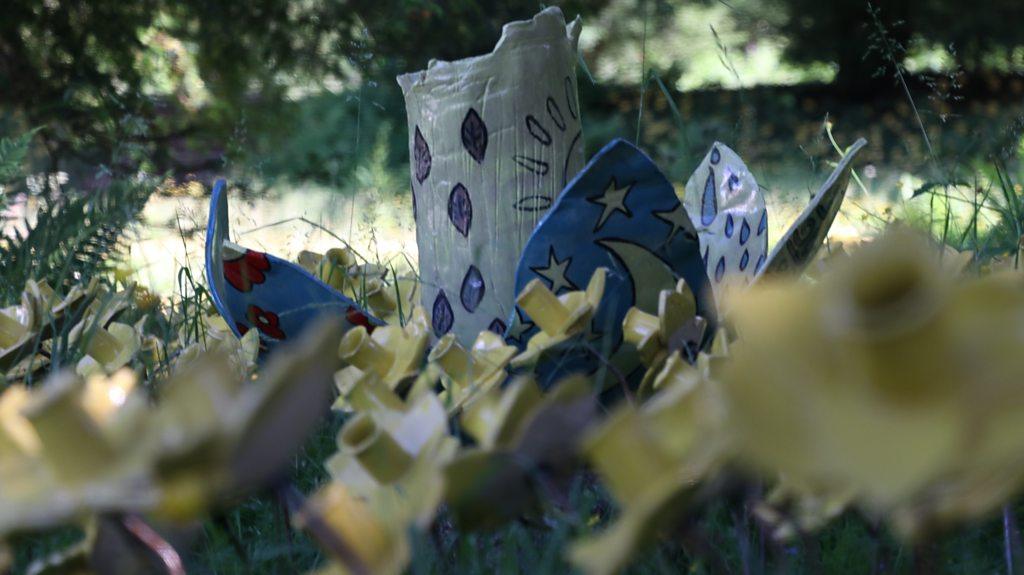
<point>215,435</point>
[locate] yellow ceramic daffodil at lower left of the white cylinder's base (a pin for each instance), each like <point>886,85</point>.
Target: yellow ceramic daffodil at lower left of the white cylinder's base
<point>392,357</point>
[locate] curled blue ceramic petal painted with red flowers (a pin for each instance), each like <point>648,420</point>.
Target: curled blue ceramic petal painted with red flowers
<point>251,289</point>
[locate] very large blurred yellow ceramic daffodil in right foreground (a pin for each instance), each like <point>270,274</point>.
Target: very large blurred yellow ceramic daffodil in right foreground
<point>891,378</point>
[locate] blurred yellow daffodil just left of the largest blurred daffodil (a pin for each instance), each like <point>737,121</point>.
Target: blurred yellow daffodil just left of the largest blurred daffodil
<point>653,457</point>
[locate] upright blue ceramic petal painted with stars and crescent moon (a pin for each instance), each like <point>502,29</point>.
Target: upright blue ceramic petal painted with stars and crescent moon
<point>620,213</point>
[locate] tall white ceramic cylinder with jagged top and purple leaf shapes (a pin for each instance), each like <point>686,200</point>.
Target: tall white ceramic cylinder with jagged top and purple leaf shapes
<point>493,141</point>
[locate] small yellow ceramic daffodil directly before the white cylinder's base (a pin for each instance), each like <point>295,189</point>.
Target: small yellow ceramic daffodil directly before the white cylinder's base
<point>474,372</point>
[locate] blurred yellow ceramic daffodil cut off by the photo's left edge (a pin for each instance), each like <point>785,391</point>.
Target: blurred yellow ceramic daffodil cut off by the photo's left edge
<point>65,451</point>
